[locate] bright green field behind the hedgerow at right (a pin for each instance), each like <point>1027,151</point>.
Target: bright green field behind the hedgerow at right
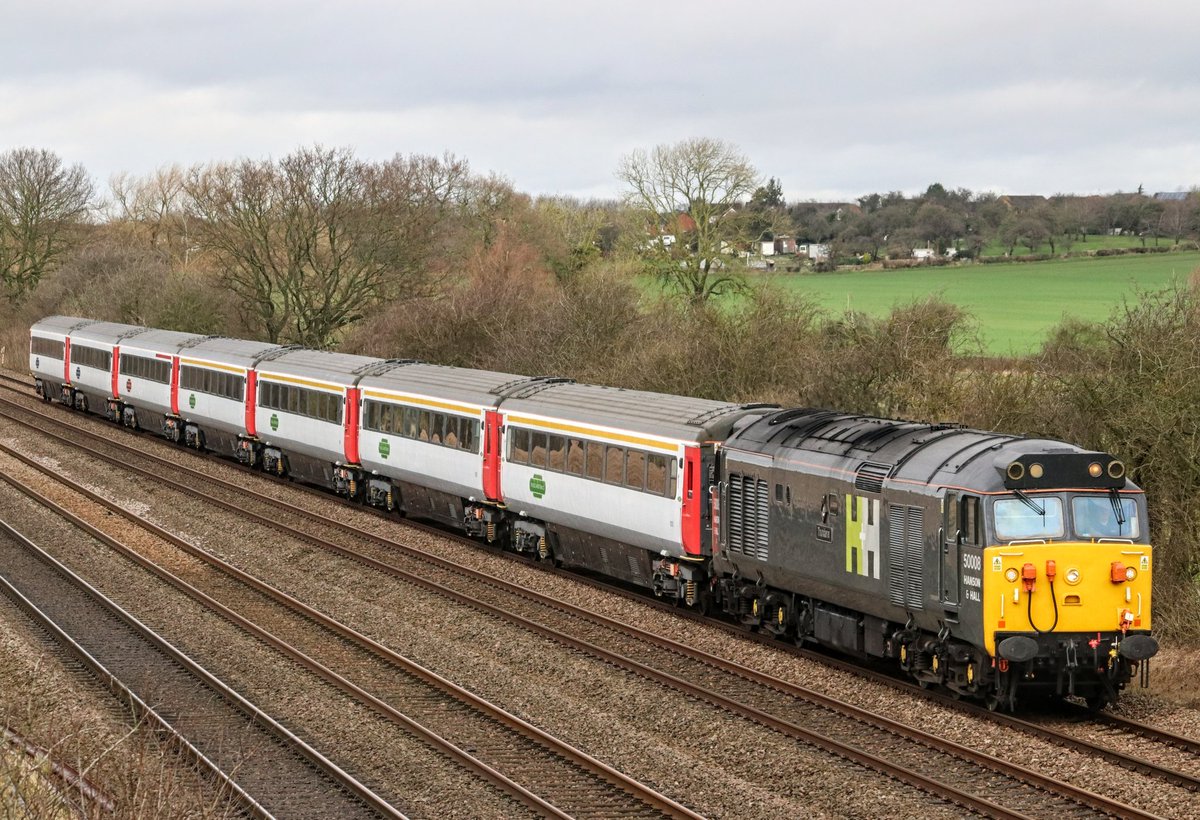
<point>1016,304</point>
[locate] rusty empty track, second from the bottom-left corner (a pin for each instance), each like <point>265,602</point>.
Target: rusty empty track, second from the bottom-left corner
<point>569,783</point>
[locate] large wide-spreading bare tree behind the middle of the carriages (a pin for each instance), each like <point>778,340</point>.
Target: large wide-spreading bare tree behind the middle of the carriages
<point>313,242</point>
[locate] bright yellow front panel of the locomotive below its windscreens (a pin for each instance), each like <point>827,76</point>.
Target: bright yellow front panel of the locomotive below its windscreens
<point>1066,588</point>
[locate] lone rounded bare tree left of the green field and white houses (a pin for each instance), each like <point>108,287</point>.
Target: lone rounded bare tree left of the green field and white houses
<point>691,194</point>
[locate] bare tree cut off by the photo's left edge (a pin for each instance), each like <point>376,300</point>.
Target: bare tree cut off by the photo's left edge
<point>43,203</point>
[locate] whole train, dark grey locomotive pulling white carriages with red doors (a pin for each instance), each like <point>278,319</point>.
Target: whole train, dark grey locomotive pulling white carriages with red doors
<point>999,567</point>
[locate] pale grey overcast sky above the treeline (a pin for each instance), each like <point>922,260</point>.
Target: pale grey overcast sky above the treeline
<point>835,100</point>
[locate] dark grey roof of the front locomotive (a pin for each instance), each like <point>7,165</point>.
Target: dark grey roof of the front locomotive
<point>873,451</point>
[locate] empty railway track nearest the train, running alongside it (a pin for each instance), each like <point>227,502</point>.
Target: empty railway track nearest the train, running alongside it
<point>783,707</point>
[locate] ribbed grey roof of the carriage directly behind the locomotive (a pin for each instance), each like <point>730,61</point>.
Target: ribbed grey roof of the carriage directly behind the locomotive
<point>655,414</point>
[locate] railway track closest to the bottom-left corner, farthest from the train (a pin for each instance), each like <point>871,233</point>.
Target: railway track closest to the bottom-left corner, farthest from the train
<point>269,770</point>
